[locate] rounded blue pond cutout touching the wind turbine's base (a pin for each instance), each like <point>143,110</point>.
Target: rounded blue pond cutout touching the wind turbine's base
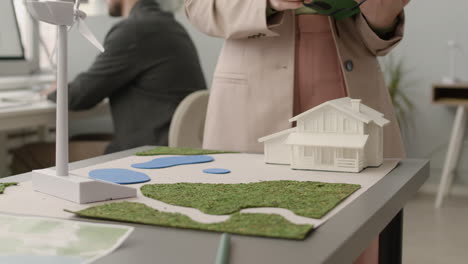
<point>119,176</point>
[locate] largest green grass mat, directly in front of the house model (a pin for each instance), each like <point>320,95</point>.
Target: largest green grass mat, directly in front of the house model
<point>309,199</point>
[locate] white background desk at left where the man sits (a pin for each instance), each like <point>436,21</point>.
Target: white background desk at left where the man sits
<point>32,113</point>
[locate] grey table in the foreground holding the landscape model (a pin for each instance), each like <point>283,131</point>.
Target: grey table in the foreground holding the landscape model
<point>339,240</point>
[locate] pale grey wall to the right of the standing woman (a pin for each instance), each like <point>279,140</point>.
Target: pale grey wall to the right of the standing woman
<point>430,24</point>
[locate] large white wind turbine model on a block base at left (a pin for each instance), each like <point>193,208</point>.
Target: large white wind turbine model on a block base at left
<point>59,182</point>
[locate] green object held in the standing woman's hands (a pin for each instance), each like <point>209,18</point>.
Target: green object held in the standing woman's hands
<point>338,9</point>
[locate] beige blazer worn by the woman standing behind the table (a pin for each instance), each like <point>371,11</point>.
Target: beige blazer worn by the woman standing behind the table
<point>252,91</point>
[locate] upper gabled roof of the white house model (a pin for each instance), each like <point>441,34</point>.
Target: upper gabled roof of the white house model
<point>362,112</point>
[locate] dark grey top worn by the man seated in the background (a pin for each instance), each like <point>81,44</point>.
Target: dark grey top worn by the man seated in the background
<point>149,66</point>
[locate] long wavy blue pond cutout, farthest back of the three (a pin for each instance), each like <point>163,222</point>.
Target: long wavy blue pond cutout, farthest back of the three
<point>167,162</point>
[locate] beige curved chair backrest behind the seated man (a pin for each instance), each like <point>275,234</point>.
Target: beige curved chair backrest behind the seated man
<point>188,122</point>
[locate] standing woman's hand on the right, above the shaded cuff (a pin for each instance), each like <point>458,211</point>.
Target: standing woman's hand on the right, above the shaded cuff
<point>382,13</point>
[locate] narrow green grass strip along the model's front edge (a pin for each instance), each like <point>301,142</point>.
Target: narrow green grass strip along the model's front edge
<point>244,224</point>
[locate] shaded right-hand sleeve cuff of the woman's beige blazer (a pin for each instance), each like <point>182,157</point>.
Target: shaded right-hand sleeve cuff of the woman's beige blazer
<point>375,44</point>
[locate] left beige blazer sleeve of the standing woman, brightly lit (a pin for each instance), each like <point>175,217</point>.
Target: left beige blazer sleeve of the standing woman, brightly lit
<point>230,19</point>
